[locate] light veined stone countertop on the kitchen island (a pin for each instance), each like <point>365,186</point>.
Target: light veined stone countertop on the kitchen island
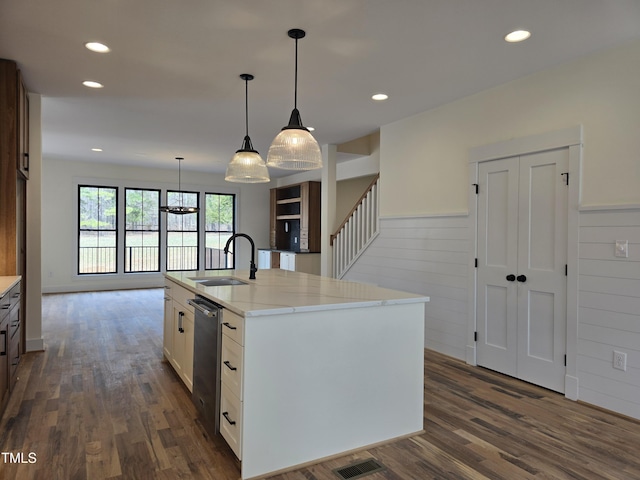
<point>276,291</point>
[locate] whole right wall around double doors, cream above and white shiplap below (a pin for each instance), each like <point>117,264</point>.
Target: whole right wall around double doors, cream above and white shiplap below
<point>424,179</point>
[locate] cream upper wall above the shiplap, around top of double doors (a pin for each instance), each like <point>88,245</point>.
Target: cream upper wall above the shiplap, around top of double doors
<point>424,158</point>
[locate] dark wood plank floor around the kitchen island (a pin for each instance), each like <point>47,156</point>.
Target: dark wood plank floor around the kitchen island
<point>101,403</point>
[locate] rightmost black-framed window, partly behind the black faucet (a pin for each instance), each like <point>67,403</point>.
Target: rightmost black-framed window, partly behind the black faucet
<point>219,226</point>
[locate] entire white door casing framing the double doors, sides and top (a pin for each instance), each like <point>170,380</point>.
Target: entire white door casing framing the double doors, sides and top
<point>567,138</point>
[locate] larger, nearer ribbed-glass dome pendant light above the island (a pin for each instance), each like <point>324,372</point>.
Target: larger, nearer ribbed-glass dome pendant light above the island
<point>294,148</point>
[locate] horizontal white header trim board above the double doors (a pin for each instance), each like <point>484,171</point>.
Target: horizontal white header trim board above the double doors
<point>521,146</point>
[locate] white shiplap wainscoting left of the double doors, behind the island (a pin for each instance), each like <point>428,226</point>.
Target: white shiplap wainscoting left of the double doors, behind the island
<point>425,255</point>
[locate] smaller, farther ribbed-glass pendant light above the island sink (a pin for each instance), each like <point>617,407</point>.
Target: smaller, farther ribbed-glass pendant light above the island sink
<point>247,166</point>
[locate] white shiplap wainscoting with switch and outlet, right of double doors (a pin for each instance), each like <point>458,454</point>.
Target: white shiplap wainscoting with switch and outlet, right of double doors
<point>609,309</point>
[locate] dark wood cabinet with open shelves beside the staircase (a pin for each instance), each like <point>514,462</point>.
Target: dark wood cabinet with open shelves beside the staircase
<point>295,217</point>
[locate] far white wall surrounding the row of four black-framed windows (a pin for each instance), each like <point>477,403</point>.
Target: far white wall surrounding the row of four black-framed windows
<point>59,218</point>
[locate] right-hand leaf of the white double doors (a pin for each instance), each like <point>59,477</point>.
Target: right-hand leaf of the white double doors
<point>542,256</point>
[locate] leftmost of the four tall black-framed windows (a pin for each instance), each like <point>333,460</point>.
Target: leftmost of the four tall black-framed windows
<point>97,234</point>
